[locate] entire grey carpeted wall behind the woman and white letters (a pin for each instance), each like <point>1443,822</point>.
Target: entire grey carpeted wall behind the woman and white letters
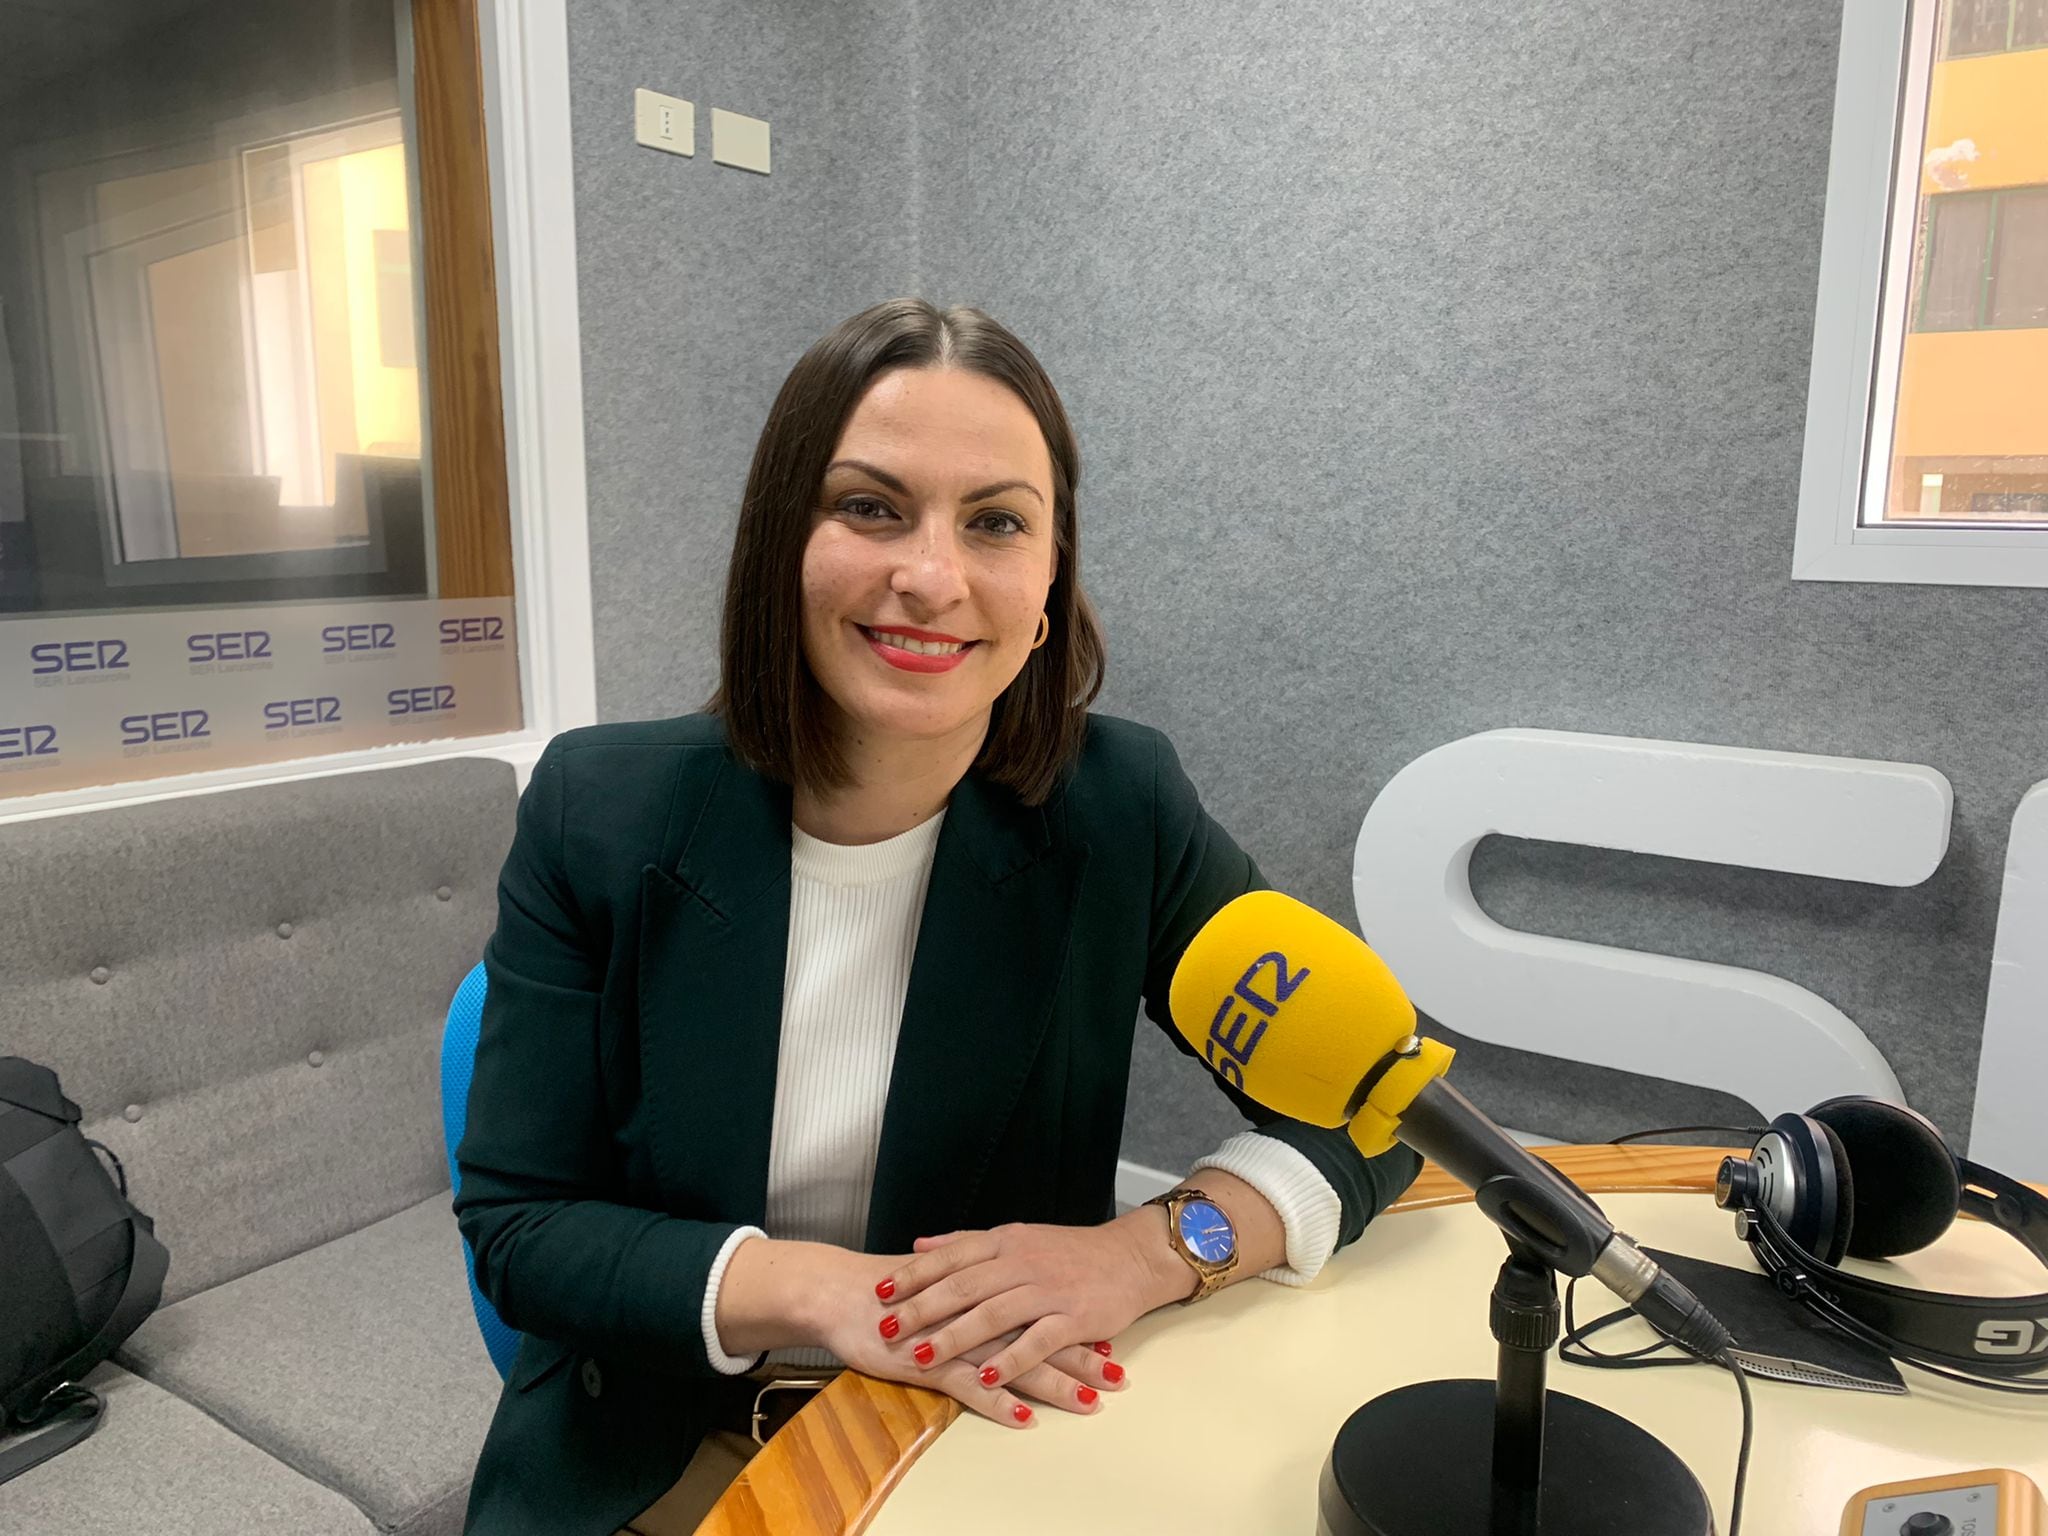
<point>1433,372</point>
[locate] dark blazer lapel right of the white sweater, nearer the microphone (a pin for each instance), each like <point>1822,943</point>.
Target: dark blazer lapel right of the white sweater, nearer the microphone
<point>984,978</point>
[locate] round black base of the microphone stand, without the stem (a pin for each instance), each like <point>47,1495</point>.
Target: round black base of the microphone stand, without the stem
<point>1418,1463</point>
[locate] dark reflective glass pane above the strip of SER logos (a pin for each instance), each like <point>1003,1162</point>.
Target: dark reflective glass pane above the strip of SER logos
<point>212,316</point>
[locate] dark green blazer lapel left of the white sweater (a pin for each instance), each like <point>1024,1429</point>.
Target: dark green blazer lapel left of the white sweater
<point>712,964</point>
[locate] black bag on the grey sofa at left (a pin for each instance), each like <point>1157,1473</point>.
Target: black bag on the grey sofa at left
<point>81,1269</point>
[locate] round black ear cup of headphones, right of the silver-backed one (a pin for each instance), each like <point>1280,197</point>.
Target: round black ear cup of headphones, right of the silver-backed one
<point>1908,1183</point>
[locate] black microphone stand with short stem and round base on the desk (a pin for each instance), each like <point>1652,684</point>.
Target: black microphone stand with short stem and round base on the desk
<point>1512,1457</point>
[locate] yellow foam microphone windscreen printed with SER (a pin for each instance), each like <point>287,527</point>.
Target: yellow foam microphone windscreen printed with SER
<point>1289,1007</point>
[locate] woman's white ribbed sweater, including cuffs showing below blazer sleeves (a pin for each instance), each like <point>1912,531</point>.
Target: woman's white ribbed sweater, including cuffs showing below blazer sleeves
<point>853,929</point>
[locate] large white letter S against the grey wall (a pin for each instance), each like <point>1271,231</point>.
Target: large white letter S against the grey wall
<point>1758,1037</point>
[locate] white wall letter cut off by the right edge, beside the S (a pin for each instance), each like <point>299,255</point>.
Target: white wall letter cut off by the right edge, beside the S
<point>2010,1127</point>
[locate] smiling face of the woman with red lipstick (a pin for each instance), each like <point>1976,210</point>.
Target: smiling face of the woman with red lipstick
<point>931,556</point>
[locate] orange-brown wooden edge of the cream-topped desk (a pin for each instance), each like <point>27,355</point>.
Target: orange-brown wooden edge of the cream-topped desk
<point>830,1467</point>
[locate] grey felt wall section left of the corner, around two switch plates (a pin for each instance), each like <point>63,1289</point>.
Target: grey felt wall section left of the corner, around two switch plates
<point>699,286</point>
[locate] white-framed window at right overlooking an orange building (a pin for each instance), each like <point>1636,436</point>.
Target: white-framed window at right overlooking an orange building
<point>1928,411</point>
